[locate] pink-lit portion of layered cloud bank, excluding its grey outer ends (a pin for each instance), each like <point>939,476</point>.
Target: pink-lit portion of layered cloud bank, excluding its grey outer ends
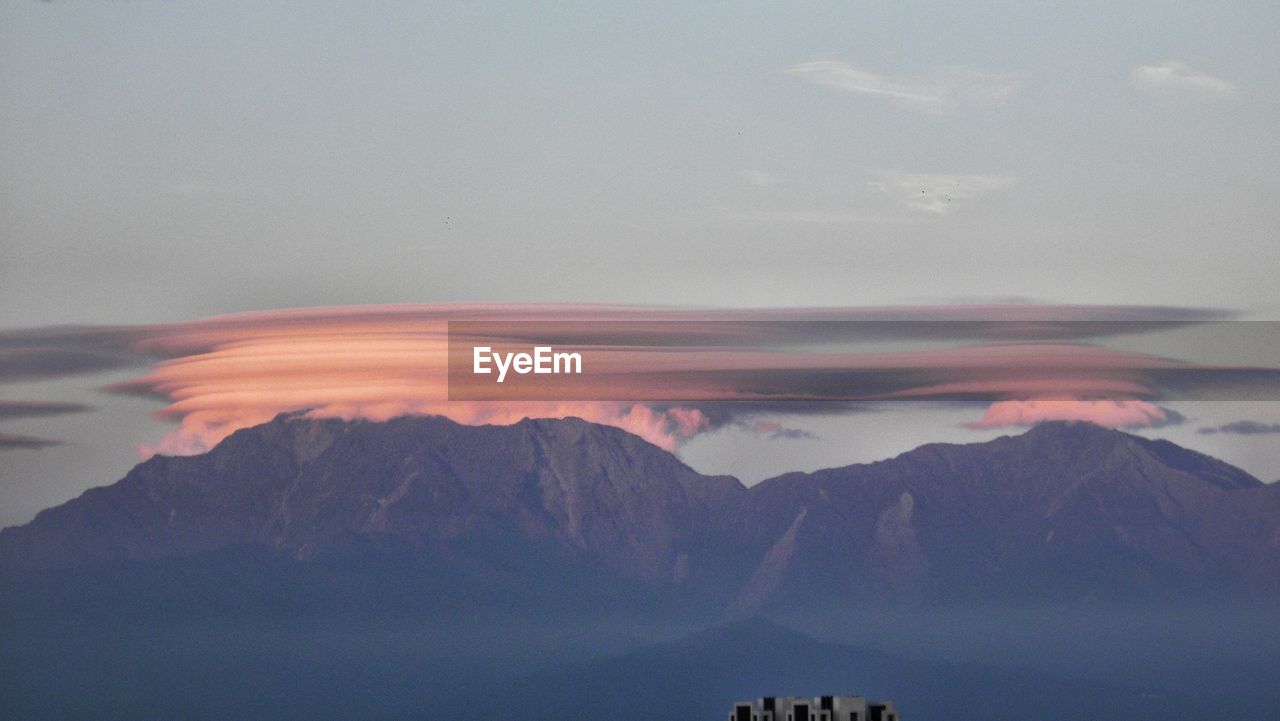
<point>222,375</point>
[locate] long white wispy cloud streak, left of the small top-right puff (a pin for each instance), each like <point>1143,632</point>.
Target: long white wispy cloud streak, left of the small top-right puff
<point>948,89</point>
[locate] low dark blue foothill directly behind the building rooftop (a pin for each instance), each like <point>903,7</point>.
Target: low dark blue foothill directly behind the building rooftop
<point>700,677</point>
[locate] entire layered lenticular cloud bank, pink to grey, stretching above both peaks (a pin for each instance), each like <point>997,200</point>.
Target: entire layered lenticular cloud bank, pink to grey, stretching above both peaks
<point>664,375</point>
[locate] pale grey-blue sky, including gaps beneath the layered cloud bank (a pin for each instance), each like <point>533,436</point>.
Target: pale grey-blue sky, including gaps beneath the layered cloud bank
<point>163,163</point>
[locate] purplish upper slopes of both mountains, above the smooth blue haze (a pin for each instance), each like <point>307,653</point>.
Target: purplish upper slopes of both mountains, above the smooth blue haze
<point>1064,512</point>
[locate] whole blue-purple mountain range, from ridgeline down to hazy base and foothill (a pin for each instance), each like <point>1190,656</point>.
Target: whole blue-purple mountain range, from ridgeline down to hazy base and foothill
<point>559,569</point>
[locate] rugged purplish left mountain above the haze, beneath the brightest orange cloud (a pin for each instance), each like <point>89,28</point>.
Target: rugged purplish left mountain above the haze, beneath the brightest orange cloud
<point>477,499</point>
